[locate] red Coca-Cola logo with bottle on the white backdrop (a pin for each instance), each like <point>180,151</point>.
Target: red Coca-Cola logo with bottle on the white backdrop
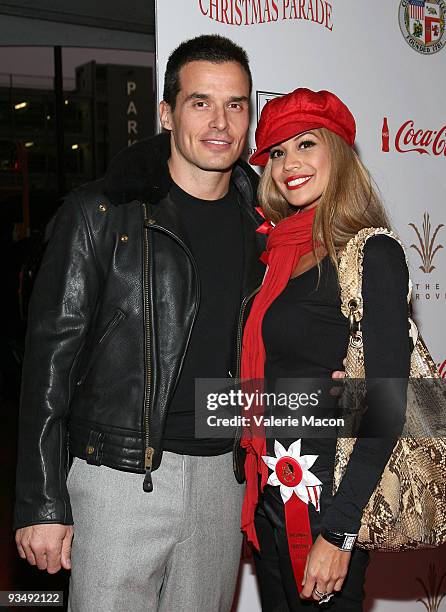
<point>409,138</point>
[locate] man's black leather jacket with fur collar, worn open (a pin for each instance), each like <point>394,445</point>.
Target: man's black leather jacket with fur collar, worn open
<point>110,319</point>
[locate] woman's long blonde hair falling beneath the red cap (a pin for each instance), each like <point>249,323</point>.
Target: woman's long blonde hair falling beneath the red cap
<point>348,204</point>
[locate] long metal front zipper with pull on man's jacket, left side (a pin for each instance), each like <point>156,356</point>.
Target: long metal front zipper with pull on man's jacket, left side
<point>148,449</point>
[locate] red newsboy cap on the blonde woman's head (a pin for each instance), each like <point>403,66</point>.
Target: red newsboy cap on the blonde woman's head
<point>297,112</point>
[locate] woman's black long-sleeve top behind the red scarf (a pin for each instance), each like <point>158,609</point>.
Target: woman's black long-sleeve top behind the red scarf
<point>306,335</point>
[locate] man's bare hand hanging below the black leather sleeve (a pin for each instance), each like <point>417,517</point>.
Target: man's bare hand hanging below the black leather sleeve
<point>48,546</point>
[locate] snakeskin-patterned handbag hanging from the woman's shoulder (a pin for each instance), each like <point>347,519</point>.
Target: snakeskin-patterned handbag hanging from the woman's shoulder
<point>407,510</point>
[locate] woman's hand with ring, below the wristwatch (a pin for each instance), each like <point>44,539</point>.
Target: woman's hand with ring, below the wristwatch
<point>325,570</point>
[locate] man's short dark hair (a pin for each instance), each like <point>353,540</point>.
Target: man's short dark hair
<point>208,48</point>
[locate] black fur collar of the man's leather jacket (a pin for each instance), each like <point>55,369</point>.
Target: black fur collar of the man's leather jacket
<point>140,172</point>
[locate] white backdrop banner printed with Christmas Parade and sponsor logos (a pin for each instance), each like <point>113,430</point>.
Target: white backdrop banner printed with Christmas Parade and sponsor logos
<point>387,61</point>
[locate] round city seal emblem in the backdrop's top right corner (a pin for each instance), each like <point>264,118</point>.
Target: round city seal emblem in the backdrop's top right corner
<point>422,24</point>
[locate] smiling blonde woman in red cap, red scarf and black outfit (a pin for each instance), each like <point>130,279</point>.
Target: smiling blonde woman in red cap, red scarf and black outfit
<point>319,195</point>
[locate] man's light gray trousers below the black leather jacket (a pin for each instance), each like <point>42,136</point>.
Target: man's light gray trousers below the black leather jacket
<point>176,549</point>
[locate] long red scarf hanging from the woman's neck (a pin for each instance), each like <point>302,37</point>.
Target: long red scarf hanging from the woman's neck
<point>288,241</point>
